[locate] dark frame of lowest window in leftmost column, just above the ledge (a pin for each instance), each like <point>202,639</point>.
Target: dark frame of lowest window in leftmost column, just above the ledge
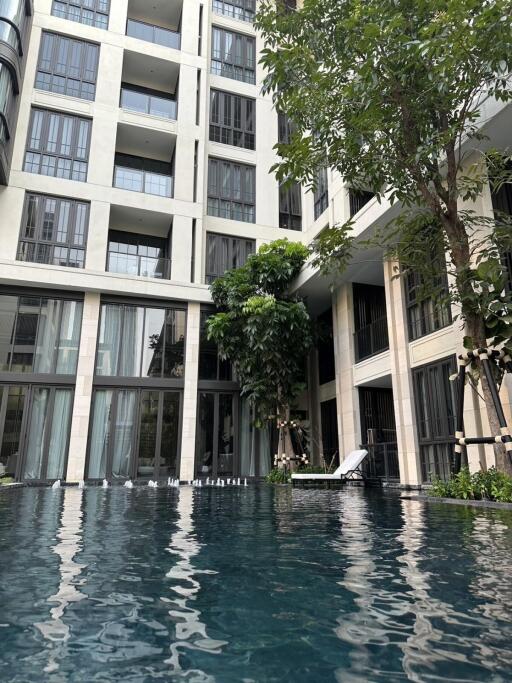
<point>70,243</point>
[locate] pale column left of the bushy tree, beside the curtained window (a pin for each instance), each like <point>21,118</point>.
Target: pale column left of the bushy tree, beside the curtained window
<point>188,435</point>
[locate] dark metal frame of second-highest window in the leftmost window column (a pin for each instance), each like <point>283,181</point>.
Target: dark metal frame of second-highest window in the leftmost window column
<point>87,49</point>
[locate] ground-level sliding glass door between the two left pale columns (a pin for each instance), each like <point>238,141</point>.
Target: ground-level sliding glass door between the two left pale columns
<point>134,433</point>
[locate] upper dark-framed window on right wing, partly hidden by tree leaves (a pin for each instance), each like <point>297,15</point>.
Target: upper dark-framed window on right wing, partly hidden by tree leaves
<point>424,314</point>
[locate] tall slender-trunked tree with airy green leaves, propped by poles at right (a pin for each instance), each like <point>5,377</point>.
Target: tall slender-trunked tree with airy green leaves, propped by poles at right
<point>389,93</point>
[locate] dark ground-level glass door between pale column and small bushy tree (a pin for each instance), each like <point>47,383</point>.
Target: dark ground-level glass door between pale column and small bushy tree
<point>216,435</point>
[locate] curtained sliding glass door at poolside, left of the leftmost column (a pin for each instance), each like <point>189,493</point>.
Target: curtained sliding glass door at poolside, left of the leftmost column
<point>34,431</point>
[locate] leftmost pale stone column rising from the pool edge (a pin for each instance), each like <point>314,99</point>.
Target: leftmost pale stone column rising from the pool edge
<point>83,390</point>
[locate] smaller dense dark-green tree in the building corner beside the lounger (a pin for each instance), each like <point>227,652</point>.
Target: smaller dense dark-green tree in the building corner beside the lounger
<point>263,331</point>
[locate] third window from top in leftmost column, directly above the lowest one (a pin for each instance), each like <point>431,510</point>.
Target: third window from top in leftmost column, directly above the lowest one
<point>58,145</point>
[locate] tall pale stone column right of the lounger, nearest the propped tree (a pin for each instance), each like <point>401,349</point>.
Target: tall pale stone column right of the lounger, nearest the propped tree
<point>401,378</point>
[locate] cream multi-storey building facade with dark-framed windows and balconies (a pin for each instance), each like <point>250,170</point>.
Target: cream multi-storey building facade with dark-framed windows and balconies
<point>135,148</point>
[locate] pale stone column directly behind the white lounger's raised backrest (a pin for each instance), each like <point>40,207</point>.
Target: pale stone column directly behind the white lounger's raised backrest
<point>346,394</point>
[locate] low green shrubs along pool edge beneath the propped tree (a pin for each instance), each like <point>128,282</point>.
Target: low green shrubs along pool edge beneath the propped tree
<point>491,485</point>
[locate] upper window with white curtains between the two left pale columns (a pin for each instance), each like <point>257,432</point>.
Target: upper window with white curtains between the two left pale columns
<point>138,341</point>
